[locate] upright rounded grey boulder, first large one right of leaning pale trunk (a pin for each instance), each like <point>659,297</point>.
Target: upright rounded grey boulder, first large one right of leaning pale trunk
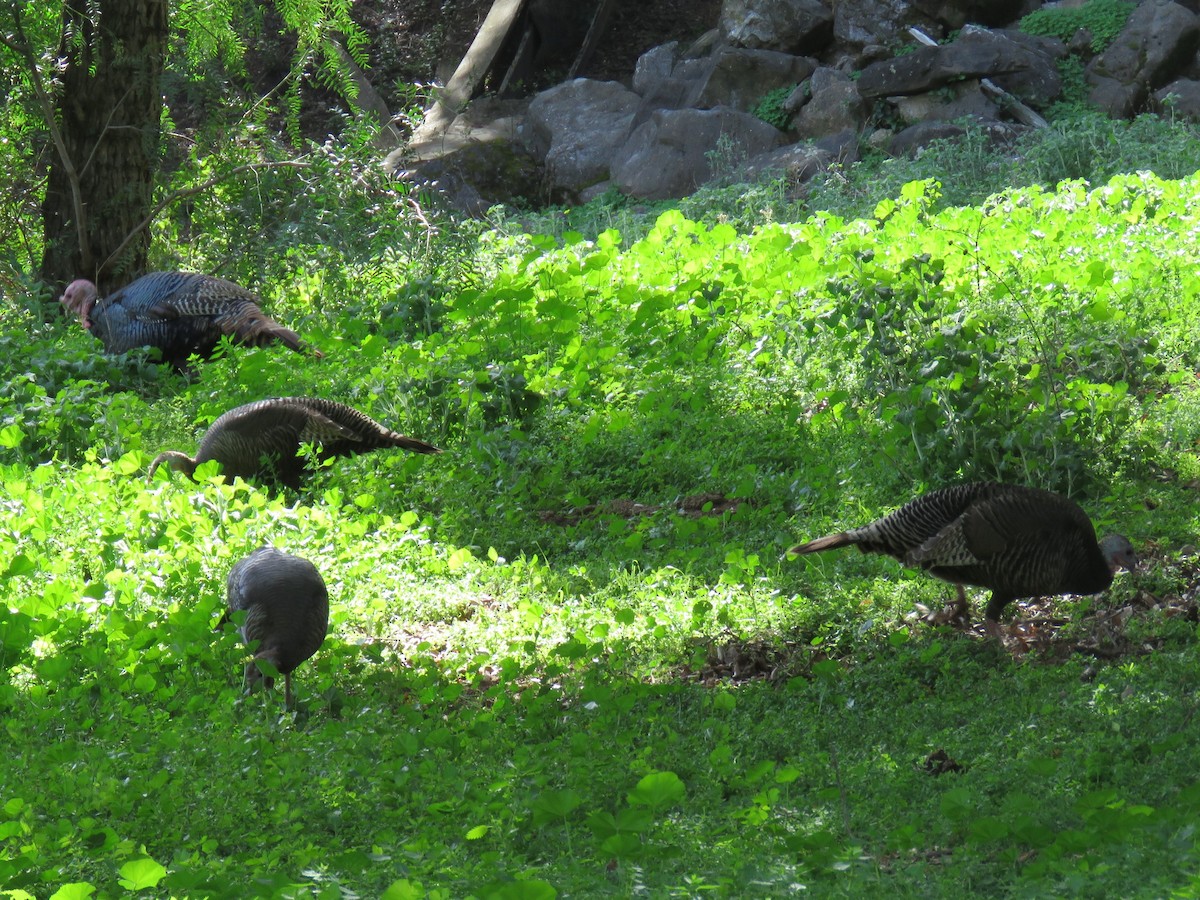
<point>575,128</point>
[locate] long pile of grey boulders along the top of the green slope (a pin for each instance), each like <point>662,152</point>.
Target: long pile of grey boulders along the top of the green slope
<point>791,86</point>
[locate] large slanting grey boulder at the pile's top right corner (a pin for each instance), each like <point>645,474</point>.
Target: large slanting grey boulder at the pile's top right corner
<point>1160,39</point>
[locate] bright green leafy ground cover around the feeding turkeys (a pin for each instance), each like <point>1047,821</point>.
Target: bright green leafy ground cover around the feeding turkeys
<point>568,658</point>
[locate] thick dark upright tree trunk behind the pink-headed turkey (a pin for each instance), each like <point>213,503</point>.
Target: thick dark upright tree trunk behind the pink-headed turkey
<point>110,109</point>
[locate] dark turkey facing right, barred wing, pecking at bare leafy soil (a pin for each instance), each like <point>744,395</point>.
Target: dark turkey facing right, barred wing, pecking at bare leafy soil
<point>1019,542</point>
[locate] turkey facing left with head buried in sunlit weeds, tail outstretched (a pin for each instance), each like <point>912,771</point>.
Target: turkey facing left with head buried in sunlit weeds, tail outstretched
<point>265,439</point>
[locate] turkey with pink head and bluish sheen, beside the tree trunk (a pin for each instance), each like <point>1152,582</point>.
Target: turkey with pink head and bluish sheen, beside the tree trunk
<point>182,314</point>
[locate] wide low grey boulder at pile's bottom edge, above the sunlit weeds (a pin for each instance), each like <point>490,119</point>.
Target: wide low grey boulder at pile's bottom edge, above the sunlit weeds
<point>670,154</point>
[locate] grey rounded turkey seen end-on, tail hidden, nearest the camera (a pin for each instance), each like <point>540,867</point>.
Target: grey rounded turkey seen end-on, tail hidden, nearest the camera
<point>287,613</point>
